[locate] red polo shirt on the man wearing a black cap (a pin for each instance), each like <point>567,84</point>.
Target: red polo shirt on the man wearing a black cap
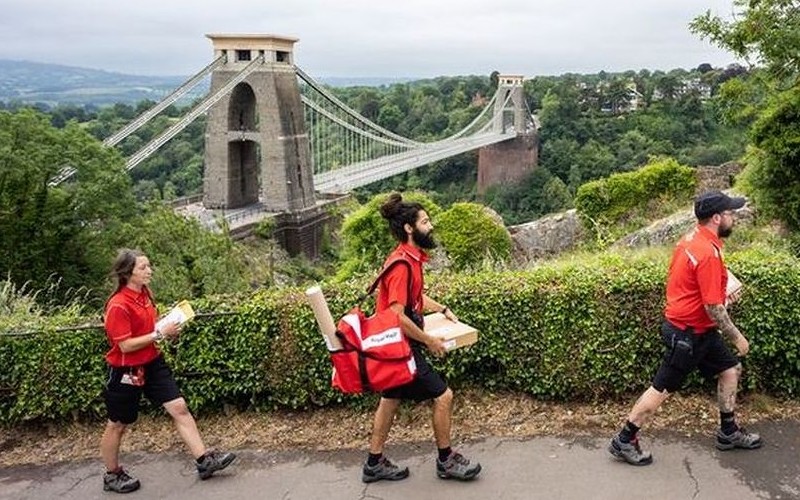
<point>697,277</point>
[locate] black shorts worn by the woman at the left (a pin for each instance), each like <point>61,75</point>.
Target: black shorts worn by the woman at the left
<point>122,399</point>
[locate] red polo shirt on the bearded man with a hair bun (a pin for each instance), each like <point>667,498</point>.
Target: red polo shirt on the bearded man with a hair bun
<point>394,285</point>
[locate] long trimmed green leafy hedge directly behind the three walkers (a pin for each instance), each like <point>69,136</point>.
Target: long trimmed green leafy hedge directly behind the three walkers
<point>585,329</point>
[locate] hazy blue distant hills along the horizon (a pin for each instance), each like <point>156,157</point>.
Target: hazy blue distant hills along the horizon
<point>53,84</point>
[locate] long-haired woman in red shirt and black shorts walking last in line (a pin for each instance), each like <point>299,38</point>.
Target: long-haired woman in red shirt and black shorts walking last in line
<point>136,367</point>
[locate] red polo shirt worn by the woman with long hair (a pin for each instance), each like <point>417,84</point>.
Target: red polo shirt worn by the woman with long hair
<point>130,314</point>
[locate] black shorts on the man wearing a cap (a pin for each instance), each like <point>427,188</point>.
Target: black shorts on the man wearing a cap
<point>686,351</point>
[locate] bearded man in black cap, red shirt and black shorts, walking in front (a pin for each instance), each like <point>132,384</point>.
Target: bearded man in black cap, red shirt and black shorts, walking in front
<point>695,315</point>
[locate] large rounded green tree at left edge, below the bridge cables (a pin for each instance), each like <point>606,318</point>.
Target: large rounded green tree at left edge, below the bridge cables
<point>60,233</point>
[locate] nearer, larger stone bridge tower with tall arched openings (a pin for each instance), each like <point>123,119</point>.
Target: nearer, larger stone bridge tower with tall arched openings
<point>256,146</point>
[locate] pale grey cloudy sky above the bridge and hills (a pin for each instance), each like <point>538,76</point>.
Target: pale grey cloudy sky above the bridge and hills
<point>359,38</point>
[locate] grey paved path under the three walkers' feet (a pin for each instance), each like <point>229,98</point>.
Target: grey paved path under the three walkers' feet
<point>540,468</point>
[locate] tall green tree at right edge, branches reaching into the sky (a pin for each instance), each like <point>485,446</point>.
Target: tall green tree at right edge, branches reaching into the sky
<point>766,32</point>
